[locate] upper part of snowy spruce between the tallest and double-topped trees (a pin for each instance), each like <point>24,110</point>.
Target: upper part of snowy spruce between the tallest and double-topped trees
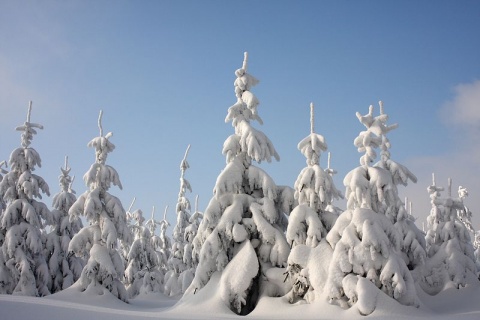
<point>315,191</point>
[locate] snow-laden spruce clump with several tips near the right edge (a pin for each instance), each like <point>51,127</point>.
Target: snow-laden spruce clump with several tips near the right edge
<point>451,258</point>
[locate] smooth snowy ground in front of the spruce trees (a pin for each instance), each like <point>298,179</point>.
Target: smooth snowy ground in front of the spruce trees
<point>70,304</point>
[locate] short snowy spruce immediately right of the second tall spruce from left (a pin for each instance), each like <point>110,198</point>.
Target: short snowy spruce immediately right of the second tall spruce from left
<point>142,274</point>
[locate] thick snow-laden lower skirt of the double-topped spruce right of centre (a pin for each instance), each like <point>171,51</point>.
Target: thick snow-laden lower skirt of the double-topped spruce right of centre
<point>366,244</point>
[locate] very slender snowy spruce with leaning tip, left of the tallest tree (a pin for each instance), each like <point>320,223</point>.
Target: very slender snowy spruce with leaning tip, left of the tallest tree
<point>178,271</point>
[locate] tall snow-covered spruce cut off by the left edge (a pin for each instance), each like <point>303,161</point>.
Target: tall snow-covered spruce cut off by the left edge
<point>25,271</point>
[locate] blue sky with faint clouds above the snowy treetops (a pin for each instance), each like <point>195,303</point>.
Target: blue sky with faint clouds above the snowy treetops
<point>163,72</point>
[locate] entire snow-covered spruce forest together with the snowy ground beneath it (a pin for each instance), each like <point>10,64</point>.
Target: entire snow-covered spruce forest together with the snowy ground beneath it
<point>258,248</point>
